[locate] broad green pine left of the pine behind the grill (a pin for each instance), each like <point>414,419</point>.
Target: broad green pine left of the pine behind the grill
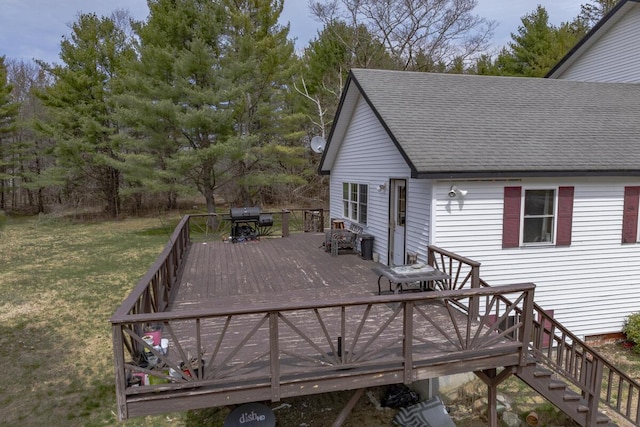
<point>176,101</point>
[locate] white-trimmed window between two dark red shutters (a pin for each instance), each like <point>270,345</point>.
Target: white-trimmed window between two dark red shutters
<point>538,216</point>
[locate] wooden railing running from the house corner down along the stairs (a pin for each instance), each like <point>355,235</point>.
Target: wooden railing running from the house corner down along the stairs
<point>551,344</point>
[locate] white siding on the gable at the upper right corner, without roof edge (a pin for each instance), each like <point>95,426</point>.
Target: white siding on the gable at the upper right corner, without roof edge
<point>614,57</point>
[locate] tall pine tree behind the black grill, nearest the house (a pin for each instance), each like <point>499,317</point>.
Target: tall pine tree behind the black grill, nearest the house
<point>262,65</point>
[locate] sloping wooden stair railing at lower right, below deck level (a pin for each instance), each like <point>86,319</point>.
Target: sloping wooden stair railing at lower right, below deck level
<point>591,374</point>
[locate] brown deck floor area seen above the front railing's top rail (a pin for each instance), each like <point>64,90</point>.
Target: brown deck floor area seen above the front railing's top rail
<point>296,268</point>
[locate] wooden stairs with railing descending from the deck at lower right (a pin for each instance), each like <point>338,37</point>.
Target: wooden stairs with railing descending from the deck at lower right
<point>576,378</point>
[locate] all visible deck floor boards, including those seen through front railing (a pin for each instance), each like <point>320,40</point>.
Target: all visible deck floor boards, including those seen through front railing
<point>292,269</point>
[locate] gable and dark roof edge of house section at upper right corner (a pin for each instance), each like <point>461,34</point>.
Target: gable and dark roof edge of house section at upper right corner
<point>609,52</point>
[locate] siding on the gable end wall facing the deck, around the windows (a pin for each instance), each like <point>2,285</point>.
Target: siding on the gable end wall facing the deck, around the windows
<point>367,156</point>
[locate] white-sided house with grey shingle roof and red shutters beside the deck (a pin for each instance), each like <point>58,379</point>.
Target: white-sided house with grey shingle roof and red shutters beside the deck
<point>537,179</point>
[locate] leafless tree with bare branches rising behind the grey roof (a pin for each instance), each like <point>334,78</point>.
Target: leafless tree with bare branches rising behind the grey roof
<point>444,31</point>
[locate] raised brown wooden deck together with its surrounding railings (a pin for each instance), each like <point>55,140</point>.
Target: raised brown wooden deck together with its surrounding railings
<point>281,317</point>
